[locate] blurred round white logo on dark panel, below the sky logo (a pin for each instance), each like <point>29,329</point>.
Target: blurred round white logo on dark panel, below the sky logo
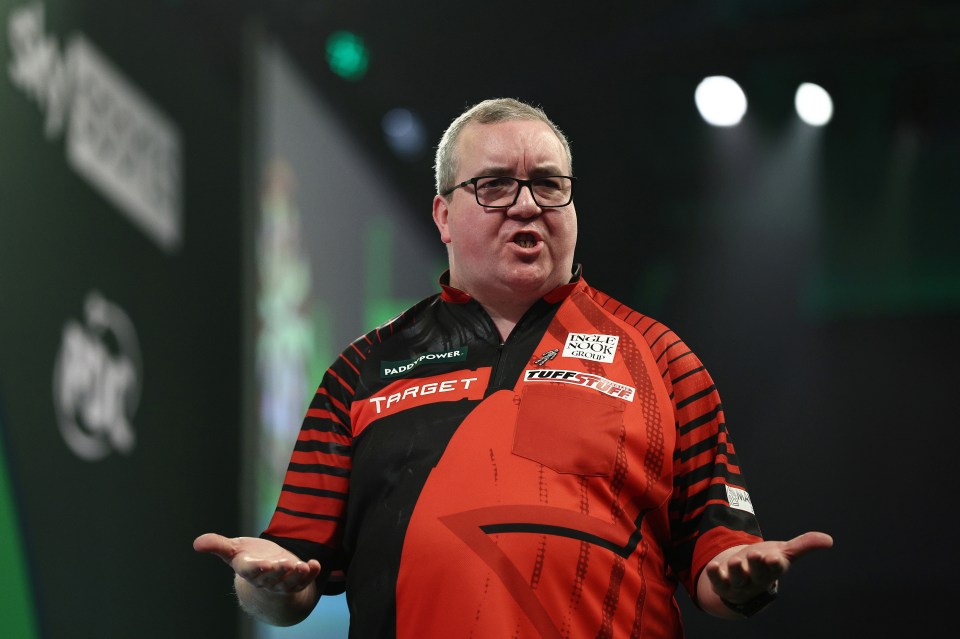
<point>96,381</point>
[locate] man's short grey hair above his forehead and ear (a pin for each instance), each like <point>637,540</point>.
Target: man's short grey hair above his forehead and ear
<point>486,112</point>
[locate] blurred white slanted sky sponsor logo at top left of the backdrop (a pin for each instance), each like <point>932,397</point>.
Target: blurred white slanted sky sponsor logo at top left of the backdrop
<point>117,140</point>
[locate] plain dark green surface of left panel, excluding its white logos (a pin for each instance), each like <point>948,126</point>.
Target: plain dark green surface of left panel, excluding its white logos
<point>108,544</point>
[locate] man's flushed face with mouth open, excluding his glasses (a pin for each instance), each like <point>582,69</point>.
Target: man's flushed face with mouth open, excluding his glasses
<point>518,253</point>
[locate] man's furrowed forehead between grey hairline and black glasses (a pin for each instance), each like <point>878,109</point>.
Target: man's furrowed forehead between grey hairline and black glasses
<point>513,144</point>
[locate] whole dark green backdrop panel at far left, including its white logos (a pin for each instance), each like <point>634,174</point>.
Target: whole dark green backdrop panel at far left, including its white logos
<point>120,288</point>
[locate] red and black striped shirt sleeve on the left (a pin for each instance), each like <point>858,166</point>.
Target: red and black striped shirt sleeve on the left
<point>309,516</point>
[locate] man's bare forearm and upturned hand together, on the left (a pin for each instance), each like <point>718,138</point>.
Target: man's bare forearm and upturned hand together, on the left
<point>273,584</point>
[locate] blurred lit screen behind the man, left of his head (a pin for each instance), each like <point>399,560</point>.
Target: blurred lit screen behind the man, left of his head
<point>333,259</point>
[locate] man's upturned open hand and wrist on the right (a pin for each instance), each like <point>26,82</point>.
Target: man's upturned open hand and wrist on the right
<point>741,573</point>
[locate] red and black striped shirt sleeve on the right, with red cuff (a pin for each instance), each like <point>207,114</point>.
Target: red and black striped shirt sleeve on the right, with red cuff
<point>704,461</point>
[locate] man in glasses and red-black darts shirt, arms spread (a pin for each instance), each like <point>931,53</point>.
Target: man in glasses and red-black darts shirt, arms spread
<point>519,455</point>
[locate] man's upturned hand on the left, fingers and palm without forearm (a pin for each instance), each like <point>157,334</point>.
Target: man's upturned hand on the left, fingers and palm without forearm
<point>262,563</point>
